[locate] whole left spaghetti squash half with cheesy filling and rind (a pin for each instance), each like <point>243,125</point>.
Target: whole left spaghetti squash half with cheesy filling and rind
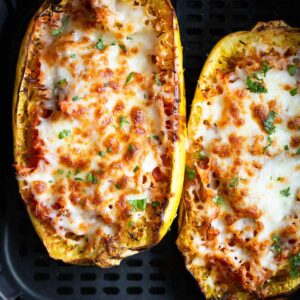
<point>99,126</point>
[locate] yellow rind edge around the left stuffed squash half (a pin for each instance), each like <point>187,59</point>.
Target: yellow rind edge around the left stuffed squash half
<point>102,255</point>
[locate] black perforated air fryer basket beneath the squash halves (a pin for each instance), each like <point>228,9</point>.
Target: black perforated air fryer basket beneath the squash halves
<point>26,271</point>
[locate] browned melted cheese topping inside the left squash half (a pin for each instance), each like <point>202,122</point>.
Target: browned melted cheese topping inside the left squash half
<point>101,120</point>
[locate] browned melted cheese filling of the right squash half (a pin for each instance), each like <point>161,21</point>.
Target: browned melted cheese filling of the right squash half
<point>242,189</point>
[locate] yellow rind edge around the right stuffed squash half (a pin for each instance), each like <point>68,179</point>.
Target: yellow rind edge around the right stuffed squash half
<point>278,33</point>
